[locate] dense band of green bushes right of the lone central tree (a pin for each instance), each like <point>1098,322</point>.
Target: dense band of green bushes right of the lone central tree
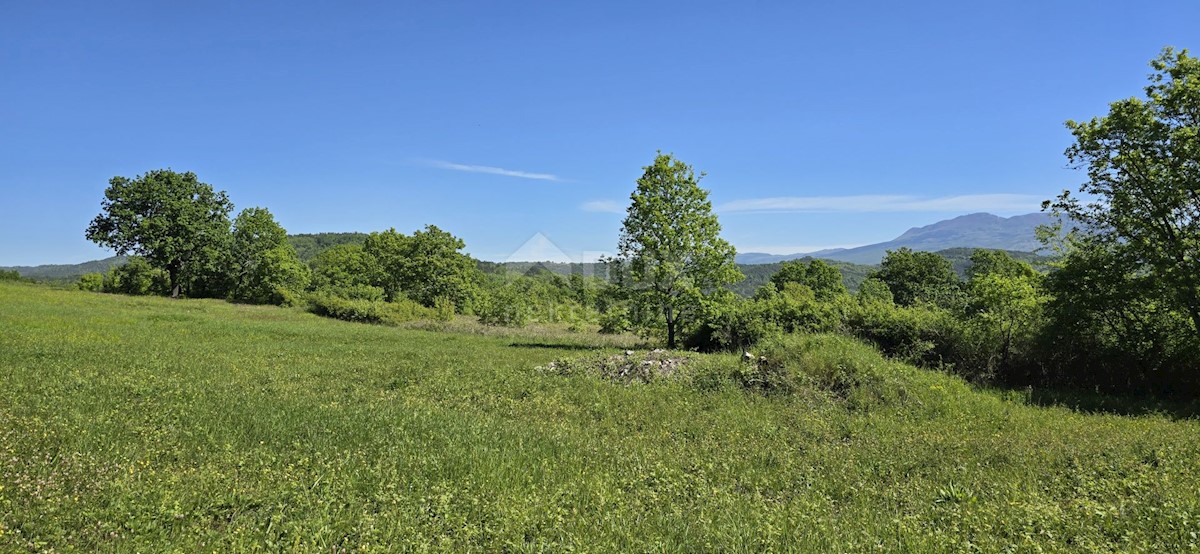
<point>1004,323</point>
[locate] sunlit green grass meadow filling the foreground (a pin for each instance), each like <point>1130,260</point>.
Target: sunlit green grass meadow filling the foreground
<point>149,425</point>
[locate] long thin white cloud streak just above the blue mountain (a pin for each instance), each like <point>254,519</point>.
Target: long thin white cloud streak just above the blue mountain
<point>887,203</point>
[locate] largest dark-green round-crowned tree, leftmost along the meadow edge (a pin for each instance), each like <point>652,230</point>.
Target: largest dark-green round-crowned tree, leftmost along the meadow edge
<point>172,220</point>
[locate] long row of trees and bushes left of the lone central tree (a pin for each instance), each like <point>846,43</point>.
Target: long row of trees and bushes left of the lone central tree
<point>182,243</point>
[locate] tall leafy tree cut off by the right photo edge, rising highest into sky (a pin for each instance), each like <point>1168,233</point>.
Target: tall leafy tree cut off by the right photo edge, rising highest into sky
<point>1142,200</point>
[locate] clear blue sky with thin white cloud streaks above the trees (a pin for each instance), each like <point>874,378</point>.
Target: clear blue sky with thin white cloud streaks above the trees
<point>819,124</point>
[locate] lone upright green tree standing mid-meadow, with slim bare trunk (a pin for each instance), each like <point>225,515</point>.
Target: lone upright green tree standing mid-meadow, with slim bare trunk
<point>670,254</point>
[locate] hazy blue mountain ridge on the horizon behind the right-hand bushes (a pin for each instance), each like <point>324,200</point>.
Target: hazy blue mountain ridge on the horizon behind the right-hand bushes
<point>974,231</point>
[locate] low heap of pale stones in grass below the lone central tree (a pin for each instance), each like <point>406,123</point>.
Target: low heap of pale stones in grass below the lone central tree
<point>626,369</point>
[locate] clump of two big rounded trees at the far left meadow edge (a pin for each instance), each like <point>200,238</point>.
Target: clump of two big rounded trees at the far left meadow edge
<point>182,238</point>
